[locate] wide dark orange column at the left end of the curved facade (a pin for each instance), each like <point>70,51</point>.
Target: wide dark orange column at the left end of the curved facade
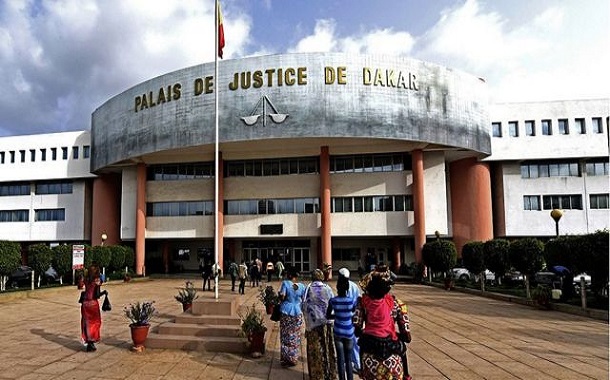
<point>106,209</point>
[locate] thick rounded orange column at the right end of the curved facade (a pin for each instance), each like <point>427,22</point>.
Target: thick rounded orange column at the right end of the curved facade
<point>470,202</point>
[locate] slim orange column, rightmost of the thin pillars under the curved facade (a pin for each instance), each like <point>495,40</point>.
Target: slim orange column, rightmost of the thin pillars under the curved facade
<point>419,227</point>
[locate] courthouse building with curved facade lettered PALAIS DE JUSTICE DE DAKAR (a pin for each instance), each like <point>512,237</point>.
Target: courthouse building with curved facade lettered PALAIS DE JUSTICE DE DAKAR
<point>321,158</point>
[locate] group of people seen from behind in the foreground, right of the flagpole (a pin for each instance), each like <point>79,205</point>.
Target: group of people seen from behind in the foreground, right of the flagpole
<point>369,334</point>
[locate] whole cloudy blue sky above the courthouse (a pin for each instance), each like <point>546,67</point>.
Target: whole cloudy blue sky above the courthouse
<point>62,59</point>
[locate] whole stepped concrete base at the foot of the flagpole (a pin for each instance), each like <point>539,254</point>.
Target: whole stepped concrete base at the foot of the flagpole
<point>210,325</point>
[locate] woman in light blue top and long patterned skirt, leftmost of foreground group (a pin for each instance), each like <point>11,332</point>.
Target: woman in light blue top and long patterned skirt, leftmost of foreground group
<point>291,292</point>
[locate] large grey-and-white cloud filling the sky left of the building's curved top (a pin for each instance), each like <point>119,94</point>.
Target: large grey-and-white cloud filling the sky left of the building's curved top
<point>60,60</point>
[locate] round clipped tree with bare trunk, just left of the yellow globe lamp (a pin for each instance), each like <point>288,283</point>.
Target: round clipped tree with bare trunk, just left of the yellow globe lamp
<point>526,255</point>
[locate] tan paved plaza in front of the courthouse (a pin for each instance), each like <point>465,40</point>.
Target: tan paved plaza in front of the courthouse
<point>455,336</point>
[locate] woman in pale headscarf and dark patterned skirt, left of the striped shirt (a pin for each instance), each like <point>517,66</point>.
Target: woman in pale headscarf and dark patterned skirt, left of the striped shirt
<point>321,354</point>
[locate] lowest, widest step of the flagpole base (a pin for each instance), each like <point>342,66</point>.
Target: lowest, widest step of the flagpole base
<point>237,345</point>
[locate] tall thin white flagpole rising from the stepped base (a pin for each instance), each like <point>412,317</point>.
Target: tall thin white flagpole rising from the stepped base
<point>216,242</point>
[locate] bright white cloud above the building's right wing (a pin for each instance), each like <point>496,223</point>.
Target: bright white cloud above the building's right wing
<point>537,58</point>
